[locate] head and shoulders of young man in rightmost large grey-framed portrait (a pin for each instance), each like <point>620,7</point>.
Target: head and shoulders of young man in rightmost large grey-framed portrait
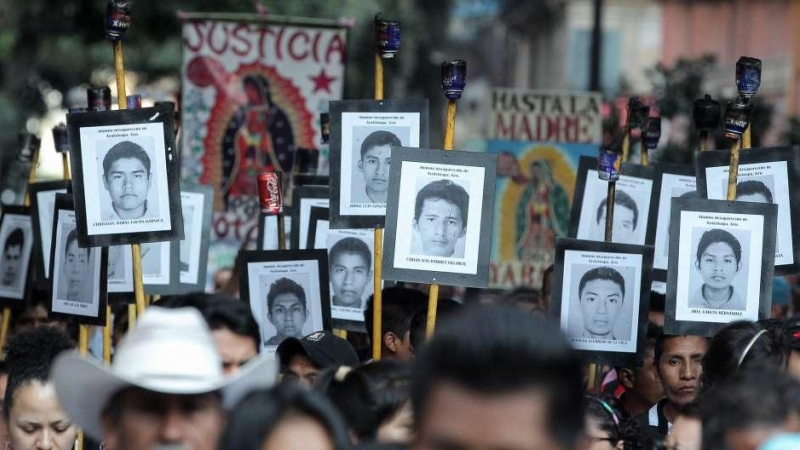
<point>719,259</point>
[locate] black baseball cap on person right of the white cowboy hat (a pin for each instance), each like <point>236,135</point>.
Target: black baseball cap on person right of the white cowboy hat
<point>323,348</point>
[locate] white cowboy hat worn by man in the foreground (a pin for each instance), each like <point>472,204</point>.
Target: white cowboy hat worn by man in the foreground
<point>169,351</point>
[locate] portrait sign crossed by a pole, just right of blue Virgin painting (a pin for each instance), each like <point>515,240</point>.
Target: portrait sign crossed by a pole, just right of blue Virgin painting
<point>631,203</point>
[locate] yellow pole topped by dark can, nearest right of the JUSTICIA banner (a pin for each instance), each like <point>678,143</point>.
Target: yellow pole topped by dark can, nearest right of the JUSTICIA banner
<point>387,44</point>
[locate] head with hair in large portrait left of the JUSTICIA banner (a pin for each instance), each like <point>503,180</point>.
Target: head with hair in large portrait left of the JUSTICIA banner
<point>127,178</point>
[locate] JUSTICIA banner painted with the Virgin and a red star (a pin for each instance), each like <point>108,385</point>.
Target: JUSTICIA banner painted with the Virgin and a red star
<point>252,94</point>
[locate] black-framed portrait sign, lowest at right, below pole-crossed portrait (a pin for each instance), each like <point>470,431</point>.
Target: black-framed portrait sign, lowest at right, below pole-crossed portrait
<point>601,297</point>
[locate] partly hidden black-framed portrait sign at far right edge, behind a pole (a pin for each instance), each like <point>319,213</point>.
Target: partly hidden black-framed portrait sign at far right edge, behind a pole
<point>766,175</point>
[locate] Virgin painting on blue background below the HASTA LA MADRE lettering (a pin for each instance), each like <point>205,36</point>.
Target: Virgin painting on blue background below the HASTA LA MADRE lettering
<point>535,186</point>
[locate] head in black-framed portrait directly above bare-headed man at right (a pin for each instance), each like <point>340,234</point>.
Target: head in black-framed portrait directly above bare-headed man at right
<point>601,293</point>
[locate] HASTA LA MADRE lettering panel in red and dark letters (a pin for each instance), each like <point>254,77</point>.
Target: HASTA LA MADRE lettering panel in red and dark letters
<point>545,116</point>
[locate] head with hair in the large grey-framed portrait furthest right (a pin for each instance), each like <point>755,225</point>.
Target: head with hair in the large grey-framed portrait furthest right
<point>719,257</point>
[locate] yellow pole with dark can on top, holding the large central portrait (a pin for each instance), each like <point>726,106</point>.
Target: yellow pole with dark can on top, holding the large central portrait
<point>454,79</point>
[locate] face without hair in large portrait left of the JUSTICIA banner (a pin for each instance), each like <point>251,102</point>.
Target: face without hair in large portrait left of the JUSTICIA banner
<point>127,181</point>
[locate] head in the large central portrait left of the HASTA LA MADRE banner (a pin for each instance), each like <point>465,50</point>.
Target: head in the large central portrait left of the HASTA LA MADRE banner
<point>440,217</point>
